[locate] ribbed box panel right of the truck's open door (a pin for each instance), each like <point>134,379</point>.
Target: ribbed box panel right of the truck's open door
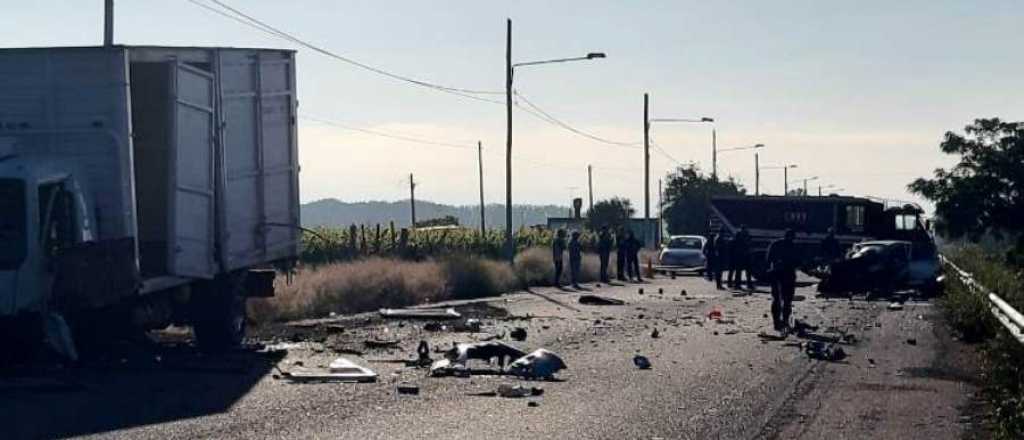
<point>261,196</point>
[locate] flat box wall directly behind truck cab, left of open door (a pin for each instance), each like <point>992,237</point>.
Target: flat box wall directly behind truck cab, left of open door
<point>69,107</point>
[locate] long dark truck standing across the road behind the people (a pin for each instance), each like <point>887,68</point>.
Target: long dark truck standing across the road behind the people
<point>854,219</point>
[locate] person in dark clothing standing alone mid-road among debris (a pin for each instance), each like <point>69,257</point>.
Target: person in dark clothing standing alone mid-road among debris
<point>783,261</point>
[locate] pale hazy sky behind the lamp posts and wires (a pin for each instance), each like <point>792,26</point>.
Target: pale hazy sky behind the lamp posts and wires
<point>859,94</point>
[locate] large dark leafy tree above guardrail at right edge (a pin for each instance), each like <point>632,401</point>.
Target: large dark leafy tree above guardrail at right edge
<point>985,193</point>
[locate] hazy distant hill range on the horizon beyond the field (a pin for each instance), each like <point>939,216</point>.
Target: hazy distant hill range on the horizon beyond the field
<point>332,212</point>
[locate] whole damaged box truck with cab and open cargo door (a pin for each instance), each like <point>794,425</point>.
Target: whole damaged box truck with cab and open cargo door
<point>146,186</point>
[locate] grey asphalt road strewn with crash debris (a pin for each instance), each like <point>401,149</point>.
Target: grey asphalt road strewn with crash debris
<point>710,379</point>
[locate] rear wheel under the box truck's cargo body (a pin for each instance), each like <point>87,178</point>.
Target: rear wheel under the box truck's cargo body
<point>219,312</point>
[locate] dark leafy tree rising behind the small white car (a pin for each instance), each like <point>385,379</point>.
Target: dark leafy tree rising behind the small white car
<point>688,193</point>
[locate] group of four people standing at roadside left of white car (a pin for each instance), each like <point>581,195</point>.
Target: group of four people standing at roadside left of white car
<point>625,244</point>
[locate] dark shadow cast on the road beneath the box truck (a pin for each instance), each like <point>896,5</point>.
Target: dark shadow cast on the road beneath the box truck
<point>131,387</point>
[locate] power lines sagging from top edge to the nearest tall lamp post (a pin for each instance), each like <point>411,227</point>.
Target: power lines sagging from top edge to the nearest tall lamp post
<point>252,22</point>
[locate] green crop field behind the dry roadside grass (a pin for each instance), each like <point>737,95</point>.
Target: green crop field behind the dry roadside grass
<point>329,245</point>
